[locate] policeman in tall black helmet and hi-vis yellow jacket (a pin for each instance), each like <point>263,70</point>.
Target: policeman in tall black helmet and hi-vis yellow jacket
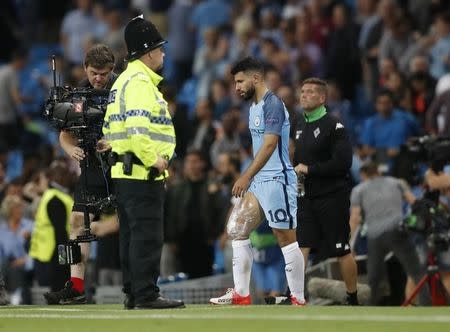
<point>139,129</point>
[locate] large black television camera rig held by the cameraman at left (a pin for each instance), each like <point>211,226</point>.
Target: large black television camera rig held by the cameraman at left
<point>79,111</point>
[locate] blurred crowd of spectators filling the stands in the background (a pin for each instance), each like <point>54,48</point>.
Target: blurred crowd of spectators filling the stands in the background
<point>387,63</point>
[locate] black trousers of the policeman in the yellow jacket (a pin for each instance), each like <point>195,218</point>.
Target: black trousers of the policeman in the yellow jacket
<point>140,209</point>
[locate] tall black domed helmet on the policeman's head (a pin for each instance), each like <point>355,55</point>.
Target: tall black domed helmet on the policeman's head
<point>141,36</point>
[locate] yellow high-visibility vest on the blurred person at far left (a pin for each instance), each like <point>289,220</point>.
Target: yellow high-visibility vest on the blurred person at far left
<point>43,241</point>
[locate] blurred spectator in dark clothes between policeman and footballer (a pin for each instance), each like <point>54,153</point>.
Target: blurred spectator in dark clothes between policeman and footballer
<point>194,218</point>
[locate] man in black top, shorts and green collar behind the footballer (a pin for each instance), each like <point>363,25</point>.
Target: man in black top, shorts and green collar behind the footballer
<point>323,157</point>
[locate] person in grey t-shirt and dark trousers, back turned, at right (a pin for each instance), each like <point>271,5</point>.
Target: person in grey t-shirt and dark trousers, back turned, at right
<point>379,199</point>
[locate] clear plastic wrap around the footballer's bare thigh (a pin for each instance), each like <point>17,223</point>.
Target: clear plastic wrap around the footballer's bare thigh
<point>244,218</point>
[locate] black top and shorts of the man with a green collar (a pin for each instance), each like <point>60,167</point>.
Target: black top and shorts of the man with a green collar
<point>323,212</point>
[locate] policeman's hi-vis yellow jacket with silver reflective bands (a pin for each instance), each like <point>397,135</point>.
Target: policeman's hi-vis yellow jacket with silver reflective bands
<point>137,120</point>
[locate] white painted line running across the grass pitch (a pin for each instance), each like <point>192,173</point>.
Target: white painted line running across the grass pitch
<point>285,317</point>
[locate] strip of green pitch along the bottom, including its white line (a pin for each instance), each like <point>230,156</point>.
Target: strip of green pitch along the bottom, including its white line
<point>206,318</point>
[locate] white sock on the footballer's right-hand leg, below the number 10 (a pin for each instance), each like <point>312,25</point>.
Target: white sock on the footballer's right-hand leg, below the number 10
<point>295,270</point>
